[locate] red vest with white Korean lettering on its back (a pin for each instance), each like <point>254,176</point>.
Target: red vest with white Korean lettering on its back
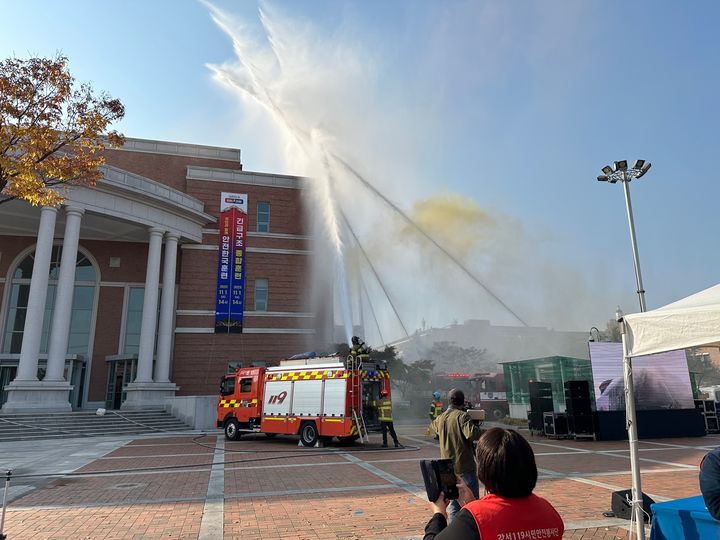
<point>531,517</point>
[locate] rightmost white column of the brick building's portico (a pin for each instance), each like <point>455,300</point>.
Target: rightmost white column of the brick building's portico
<point>167,308</point>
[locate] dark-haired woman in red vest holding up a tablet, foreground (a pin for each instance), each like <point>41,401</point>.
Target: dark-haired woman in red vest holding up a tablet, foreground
<point>509,510</point>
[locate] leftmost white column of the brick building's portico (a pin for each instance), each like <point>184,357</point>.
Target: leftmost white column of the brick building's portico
<point>32,331</point>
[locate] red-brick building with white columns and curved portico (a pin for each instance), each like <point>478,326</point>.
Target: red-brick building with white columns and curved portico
<point>78,329</point>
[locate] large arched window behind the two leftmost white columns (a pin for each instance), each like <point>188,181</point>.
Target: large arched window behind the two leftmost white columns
<point>83,299</point>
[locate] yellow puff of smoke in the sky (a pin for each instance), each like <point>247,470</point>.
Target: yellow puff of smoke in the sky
<point>455,221</point>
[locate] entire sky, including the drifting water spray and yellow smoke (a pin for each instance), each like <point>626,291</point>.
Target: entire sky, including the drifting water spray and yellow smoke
<point>487,122</point>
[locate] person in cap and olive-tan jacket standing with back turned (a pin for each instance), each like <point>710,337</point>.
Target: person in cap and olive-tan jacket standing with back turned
<point>457,432</point>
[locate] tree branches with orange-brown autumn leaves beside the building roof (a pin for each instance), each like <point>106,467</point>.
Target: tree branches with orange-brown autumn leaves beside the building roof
<point>51,130</point>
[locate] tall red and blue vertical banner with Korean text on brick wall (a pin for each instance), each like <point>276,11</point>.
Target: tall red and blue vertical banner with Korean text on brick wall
<point>230,296</point>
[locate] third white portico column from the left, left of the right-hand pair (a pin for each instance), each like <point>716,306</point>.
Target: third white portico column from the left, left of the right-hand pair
<point>149,318</point>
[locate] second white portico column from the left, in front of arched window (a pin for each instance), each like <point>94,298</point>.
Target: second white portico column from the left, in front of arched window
<point>60,329</point>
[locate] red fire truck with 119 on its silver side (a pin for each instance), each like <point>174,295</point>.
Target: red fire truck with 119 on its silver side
<point>317,398</point>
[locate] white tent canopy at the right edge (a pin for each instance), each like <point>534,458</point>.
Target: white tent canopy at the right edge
<point>690,322</point>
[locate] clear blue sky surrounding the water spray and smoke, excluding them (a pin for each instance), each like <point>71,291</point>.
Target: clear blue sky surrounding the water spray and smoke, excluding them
<point>515,105</point>
